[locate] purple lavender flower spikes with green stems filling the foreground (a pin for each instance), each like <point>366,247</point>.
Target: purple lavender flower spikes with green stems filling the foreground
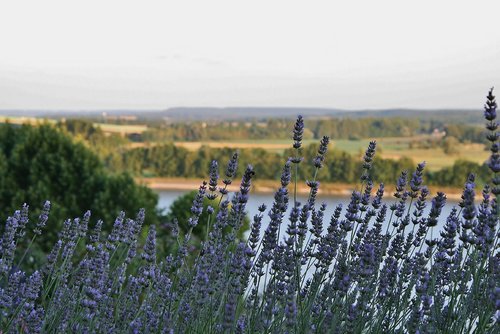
<point>305,273</point>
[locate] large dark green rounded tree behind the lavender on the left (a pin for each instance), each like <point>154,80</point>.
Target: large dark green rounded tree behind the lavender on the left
<point>42,163</point>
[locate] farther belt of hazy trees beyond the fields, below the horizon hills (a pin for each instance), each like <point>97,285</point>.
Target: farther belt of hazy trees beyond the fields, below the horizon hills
<point>343,128</point>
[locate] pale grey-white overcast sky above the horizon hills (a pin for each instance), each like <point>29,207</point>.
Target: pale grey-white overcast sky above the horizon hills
<point>159,54</point>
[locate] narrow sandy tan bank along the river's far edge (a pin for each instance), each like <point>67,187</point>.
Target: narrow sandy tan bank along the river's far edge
<point>270,186</point>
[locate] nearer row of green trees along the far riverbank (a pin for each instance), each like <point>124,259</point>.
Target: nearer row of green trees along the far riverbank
<point>172,161</point>
